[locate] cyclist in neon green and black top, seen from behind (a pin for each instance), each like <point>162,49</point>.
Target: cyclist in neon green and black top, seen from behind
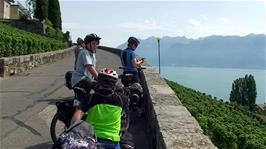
<point>104,109</point>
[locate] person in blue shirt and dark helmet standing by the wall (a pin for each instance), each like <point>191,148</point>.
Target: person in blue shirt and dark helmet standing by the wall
<point>130,60</point>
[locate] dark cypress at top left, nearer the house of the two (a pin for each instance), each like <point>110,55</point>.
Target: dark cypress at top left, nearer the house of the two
<point>41,9</point>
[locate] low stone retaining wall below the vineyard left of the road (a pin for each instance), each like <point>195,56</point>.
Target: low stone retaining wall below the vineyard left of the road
<point>16,64</point>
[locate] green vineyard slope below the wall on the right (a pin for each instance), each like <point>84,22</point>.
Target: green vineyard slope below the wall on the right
<point>229,126</point>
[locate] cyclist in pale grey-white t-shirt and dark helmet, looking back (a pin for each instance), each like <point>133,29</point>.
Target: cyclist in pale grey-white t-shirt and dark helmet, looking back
<point>85,71</point>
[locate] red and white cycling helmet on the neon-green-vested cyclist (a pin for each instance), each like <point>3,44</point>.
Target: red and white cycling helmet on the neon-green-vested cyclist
<point>107,77</point>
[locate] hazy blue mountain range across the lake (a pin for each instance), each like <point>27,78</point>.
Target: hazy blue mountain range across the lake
<point>246,52</point>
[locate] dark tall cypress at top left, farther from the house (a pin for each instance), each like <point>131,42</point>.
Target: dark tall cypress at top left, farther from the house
<point>54,14</point>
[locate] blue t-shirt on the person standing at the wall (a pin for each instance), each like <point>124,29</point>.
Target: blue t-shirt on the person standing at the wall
<point>127,56</point>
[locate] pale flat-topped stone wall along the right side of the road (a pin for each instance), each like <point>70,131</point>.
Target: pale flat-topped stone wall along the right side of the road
<point>169,123</point>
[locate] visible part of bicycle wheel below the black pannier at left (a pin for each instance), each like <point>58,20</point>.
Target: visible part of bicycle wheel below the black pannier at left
<point>56,127</point>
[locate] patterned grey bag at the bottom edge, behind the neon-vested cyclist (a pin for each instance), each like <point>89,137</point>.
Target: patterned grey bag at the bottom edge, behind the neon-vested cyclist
<point>79,136</point>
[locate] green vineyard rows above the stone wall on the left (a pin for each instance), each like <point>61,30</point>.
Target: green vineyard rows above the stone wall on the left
<point>15,42</point>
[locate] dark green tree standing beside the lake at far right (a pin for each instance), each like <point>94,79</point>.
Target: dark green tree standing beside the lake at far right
<point>244,91</point>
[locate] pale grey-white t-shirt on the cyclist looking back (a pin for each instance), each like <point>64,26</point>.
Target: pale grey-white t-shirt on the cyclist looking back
<point>85,57</point>
